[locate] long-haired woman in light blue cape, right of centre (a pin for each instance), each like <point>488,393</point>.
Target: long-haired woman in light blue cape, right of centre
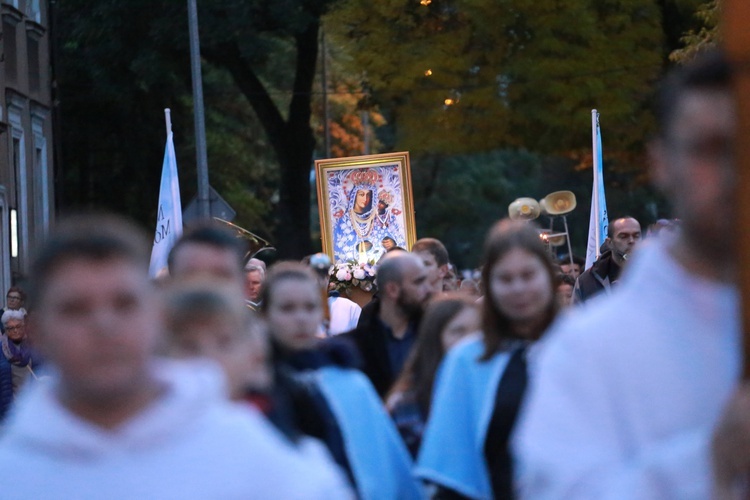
<point>481,382</point>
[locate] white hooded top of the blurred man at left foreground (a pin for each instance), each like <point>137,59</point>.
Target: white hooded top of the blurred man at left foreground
<point>190,443</point>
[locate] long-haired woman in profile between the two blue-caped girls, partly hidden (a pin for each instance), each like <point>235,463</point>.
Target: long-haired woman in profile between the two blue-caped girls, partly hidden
<point>447,320</point>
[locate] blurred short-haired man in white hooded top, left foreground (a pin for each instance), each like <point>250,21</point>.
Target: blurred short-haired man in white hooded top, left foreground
<point>114,422</point>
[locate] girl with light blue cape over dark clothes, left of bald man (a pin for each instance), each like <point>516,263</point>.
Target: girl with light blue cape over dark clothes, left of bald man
<point>342,408</point>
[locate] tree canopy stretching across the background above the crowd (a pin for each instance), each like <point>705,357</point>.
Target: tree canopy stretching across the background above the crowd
<point>442,79</point>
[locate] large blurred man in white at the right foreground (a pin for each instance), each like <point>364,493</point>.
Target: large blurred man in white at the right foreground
<point>629,391</point>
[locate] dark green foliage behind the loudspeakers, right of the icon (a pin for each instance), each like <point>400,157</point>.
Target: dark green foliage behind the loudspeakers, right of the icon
<point>459,197</point>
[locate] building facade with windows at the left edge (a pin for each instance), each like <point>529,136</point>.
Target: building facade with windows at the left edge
<point>26,173</point>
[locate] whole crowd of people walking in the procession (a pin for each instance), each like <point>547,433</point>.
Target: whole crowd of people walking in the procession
<point>541,379</point>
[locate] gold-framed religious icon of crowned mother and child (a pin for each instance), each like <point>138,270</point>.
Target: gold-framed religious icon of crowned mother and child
<point>365,205</point>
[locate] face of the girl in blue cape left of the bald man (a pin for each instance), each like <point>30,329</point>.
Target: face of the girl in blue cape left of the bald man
<point>294,314</point>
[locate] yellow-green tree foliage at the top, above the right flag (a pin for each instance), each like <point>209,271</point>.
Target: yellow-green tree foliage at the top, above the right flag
<point>519,73</point>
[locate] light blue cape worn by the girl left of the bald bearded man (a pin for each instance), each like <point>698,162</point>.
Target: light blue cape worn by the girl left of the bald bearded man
<point>380,463</point>
